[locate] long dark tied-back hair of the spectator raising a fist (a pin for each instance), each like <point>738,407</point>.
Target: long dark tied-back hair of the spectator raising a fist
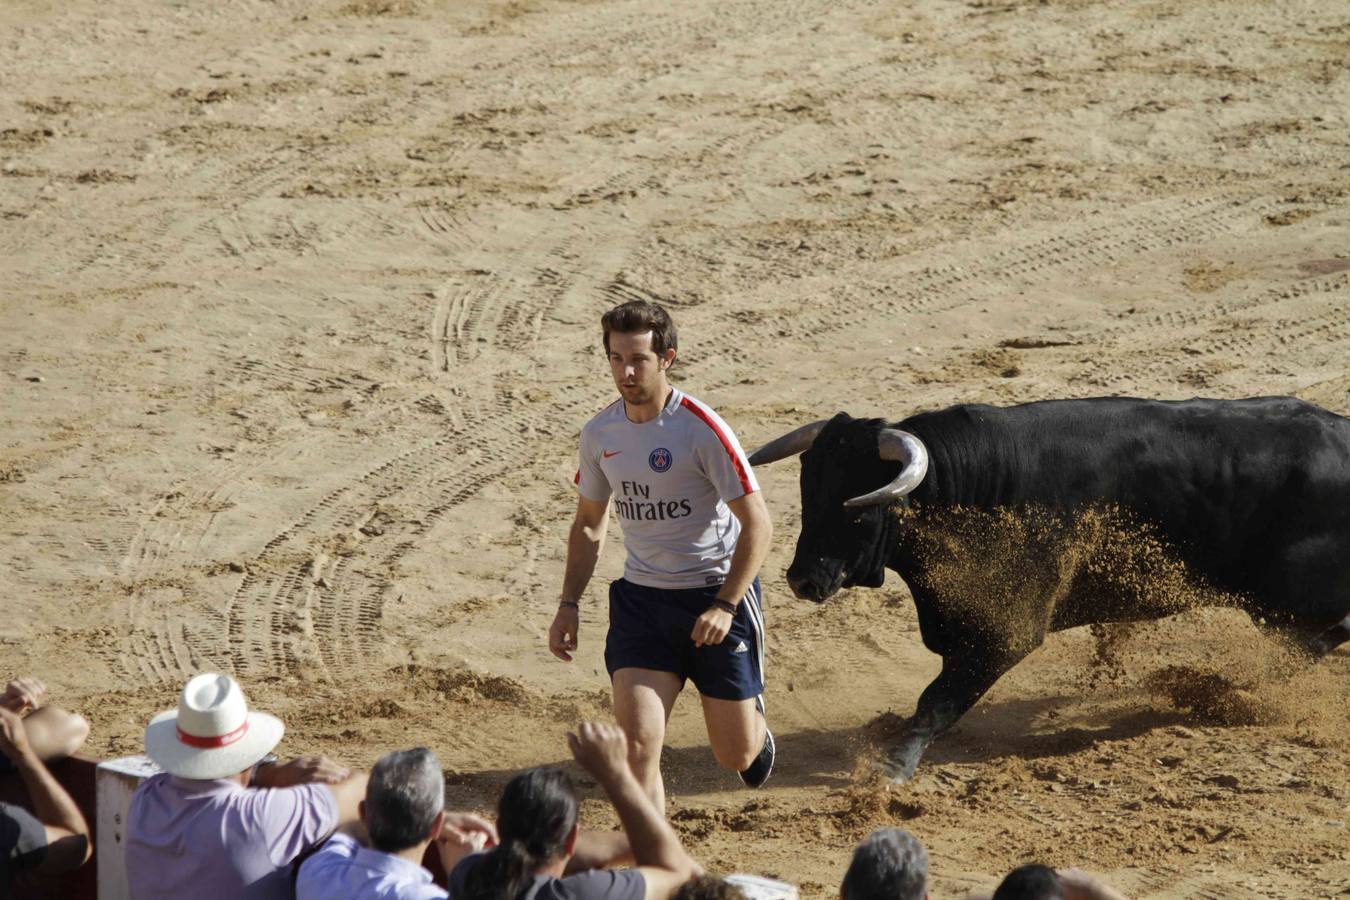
<point>535,816</point>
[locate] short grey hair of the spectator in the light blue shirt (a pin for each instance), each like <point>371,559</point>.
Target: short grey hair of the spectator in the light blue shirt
<point>406,794</point>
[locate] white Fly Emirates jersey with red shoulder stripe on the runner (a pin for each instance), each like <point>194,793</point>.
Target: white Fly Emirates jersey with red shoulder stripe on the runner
<point>672,480</point>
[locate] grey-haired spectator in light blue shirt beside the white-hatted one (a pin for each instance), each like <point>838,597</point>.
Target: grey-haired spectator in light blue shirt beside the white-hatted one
<point>403,813</point>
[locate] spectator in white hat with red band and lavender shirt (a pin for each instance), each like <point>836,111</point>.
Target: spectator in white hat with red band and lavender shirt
<point>223,821</point>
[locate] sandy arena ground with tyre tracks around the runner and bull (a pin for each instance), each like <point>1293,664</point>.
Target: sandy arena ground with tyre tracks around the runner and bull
<point>299,329</point>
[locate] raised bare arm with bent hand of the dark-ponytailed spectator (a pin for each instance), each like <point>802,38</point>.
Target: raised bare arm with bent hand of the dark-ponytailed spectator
<point>603,751</point>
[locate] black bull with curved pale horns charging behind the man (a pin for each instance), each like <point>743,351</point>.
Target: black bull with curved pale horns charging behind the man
<point>1010,523</point>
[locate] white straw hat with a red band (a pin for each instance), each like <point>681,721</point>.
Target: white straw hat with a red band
<point>211,735</point>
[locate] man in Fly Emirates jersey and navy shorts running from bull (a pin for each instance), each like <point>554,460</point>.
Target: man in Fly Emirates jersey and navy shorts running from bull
<point>697,532</point>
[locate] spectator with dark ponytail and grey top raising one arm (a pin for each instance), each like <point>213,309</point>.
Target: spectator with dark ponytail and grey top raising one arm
<point>542,856</point>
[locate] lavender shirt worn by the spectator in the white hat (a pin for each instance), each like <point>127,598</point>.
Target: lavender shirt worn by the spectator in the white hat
<point>221,841</point>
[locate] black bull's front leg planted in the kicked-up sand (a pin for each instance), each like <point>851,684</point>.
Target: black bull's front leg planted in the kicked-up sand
<point>947,700</point>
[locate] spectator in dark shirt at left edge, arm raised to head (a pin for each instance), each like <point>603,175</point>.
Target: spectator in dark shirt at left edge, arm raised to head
<point>52,839</point>
